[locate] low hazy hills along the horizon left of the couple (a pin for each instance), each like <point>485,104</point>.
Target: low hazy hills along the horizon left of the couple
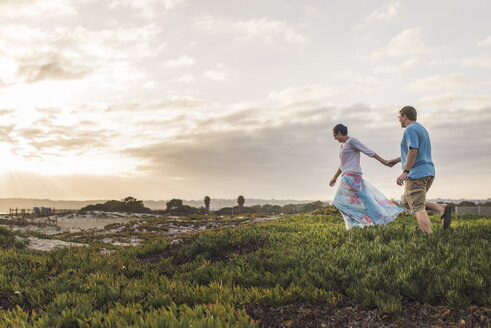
<point>27,203</point>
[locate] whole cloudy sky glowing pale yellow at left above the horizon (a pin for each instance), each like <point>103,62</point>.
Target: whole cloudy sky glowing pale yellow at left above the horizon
<point>179,98</point>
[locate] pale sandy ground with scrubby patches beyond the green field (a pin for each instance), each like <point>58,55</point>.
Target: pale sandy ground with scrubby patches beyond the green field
<point>96,221</point>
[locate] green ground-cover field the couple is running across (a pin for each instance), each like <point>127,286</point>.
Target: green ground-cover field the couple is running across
<point>297,269</point>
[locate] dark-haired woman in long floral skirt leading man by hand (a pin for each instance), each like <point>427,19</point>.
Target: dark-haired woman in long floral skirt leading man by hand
<point>359,202</point>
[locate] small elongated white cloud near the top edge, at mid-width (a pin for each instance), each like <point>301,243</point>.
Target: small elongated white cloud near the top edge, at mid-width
<point>264,29</point>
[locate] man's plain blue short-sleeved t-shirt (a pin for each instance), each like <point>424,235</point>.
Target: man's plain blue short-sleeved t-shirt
<point>416,136</point>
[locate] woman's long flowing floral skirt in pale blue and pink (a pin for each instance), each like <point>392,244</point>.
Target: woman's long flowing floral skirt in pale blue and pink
<point>361,204</point>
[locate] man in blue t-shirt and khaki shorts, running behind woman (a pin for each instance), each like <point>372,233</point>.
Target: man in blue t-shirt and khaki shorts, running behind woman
<point>418,171</point>
